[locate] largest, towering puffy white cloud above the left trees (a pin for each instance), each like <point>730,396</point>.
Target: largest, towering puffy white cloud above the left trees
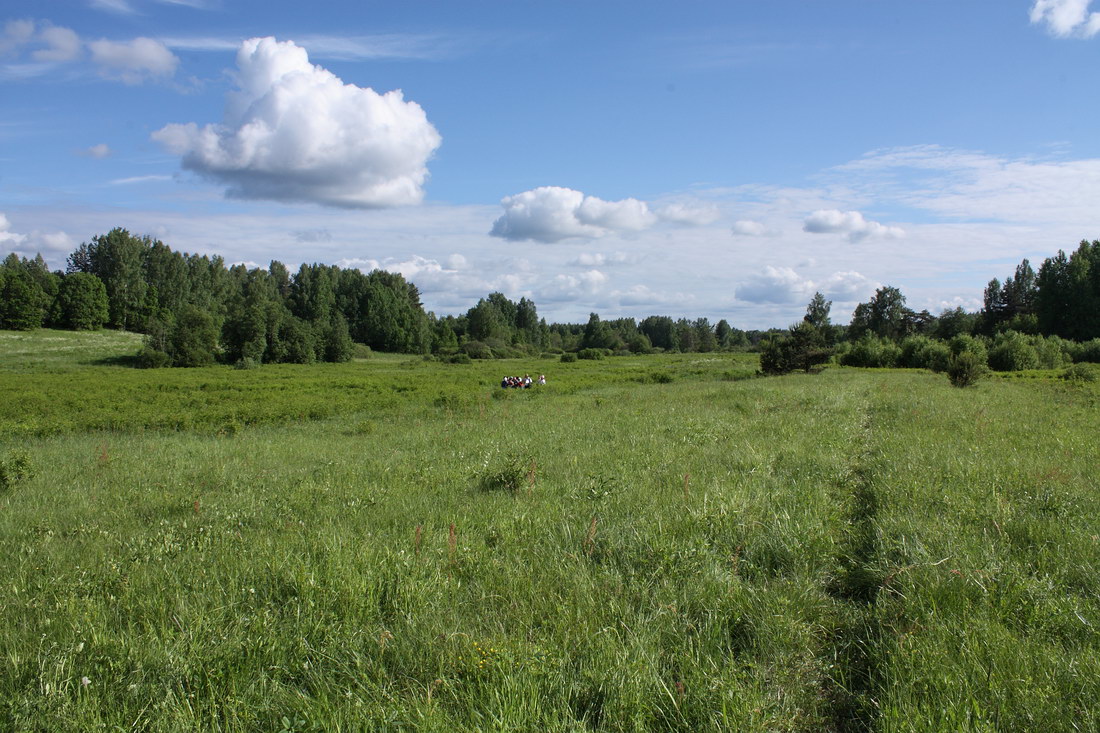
<point>296,133</point>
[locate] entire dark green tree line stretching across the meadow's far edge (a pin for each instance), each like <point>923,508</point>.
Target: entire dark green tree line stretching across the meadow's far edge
<point>195,311</point>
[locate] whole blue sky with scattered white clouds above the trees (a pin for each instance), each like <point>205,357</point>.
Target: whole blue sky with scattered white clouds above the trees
<point>703,159</point>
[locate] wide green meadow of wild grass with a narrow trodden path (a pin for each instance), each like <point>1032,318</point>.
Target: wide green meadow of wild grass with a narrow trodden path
<point>646,544</point>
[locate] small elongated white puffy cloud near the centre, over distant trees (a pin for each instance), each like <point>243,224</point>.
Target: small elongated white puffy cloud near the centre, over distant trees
<point>551,214</point>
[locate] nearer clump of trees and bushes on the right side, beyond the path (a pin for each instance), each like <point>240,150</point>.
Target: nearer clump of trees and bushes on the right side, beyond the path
<point>1031,321</point>
